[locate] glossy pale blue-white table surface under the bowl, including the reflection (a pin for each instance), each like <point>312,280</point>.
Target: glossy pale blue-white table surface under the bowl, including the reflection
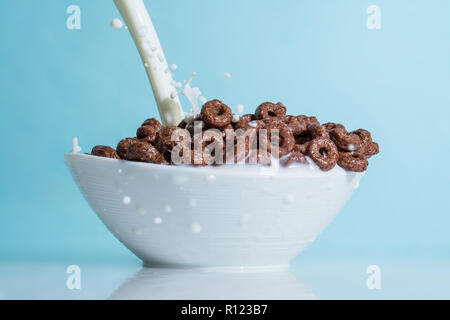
<point>318,279</point>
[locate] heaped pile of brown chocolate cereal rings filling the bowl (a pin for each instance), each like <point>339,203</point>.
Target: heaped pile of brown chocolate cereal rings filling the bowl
<point>298,137</point>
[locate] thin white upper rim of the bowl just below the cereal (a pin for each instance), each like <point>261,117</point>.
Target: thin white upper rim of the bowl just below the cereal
<point>252,170</point>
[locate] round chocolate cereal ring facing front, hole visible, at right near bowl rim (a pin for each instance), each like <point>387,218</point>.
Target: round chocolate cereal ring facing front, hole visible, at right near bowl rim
<point>324,153</point>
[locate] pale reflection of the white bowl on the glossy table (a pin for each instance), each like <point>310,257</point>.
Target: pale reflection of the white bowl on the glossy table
<point>213,284</point>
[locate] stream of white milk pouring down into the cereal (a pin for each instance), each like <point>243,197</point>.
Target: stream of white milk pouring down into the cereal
<point>144,35</point>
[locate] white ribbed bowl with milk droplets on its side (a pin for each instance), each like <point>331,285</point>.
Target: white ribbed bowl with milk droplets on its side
<point>214,216</point>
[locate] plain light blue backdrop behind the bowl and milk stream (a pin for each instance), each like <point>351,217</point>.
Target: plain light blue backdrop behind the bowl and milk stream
<point>317,57</point>
